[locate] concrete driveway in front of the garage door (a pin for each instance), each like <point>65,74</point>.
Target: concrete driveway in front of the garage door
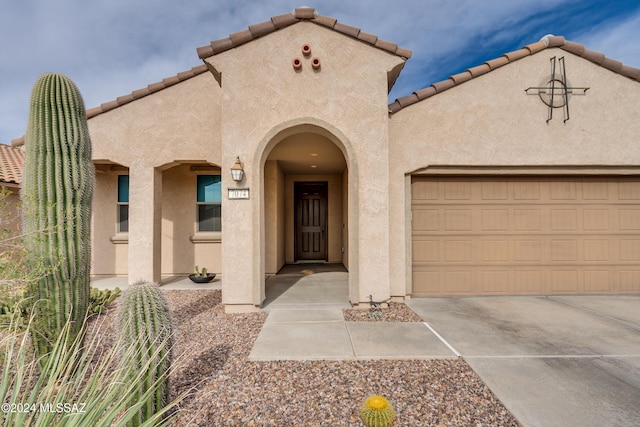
<point>553,361</point>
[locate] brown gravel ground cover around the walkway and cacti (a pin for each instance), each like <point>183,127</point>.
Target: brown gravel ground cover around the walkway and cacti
<point>229,390</point>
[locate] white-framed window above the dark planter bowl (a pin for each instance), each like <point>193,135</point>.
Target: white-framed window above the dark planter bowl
<point>208,203</point>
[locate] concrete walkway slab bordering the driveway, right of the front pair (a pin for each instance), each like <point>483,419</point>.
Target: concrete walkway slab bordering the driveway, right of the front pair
<point>395,340</point>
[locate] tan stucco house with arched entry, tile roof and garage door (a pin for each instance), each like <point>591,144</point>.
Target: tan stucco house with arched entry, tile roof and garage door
<point>518,176</point>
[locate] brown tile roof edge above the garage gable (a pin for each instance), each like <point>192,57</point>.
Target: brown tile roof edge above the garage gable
<point>547,41</point>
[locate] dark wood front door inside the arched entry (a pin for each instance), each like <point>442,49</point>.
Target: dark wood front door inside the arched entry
<point>311,220</point>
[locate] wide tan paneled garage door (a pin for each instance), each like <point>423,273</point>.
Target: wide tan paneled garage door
<point>525,235</point>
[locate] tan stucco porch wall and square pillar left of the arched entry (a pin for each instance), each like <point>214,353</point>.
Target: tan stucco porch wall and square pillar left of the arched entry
<point>178,124</point>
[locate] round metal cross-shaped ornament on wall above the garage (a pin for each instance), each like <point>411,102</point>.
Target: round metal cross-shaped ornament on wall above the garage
<point>556,92</point>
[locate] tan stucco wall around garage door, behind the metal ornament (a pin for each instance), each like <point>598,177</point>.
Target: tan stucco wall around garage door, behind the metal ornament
<point>490,121</point>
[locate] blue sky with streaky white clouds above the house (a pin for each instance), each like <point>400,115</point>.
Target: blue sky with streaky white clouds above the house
<point>112,47</point>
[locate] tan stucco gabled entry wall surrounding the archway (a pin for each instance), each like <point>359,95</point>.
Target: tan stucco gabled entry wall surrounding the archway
<point>264,100</point>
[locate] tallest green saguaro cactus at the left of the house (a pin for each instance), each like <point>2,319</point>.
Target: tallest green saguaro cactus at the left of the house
<point>57,193</point>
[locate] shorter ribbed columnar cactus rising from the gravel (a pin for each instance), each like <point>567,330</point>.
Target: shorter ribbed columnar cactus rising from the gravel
<point>144,322</point>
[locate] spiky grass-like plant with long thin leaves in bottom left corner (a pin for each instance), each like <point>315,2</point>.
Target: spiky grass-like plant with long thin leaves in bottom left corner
<point>81,383</point>
